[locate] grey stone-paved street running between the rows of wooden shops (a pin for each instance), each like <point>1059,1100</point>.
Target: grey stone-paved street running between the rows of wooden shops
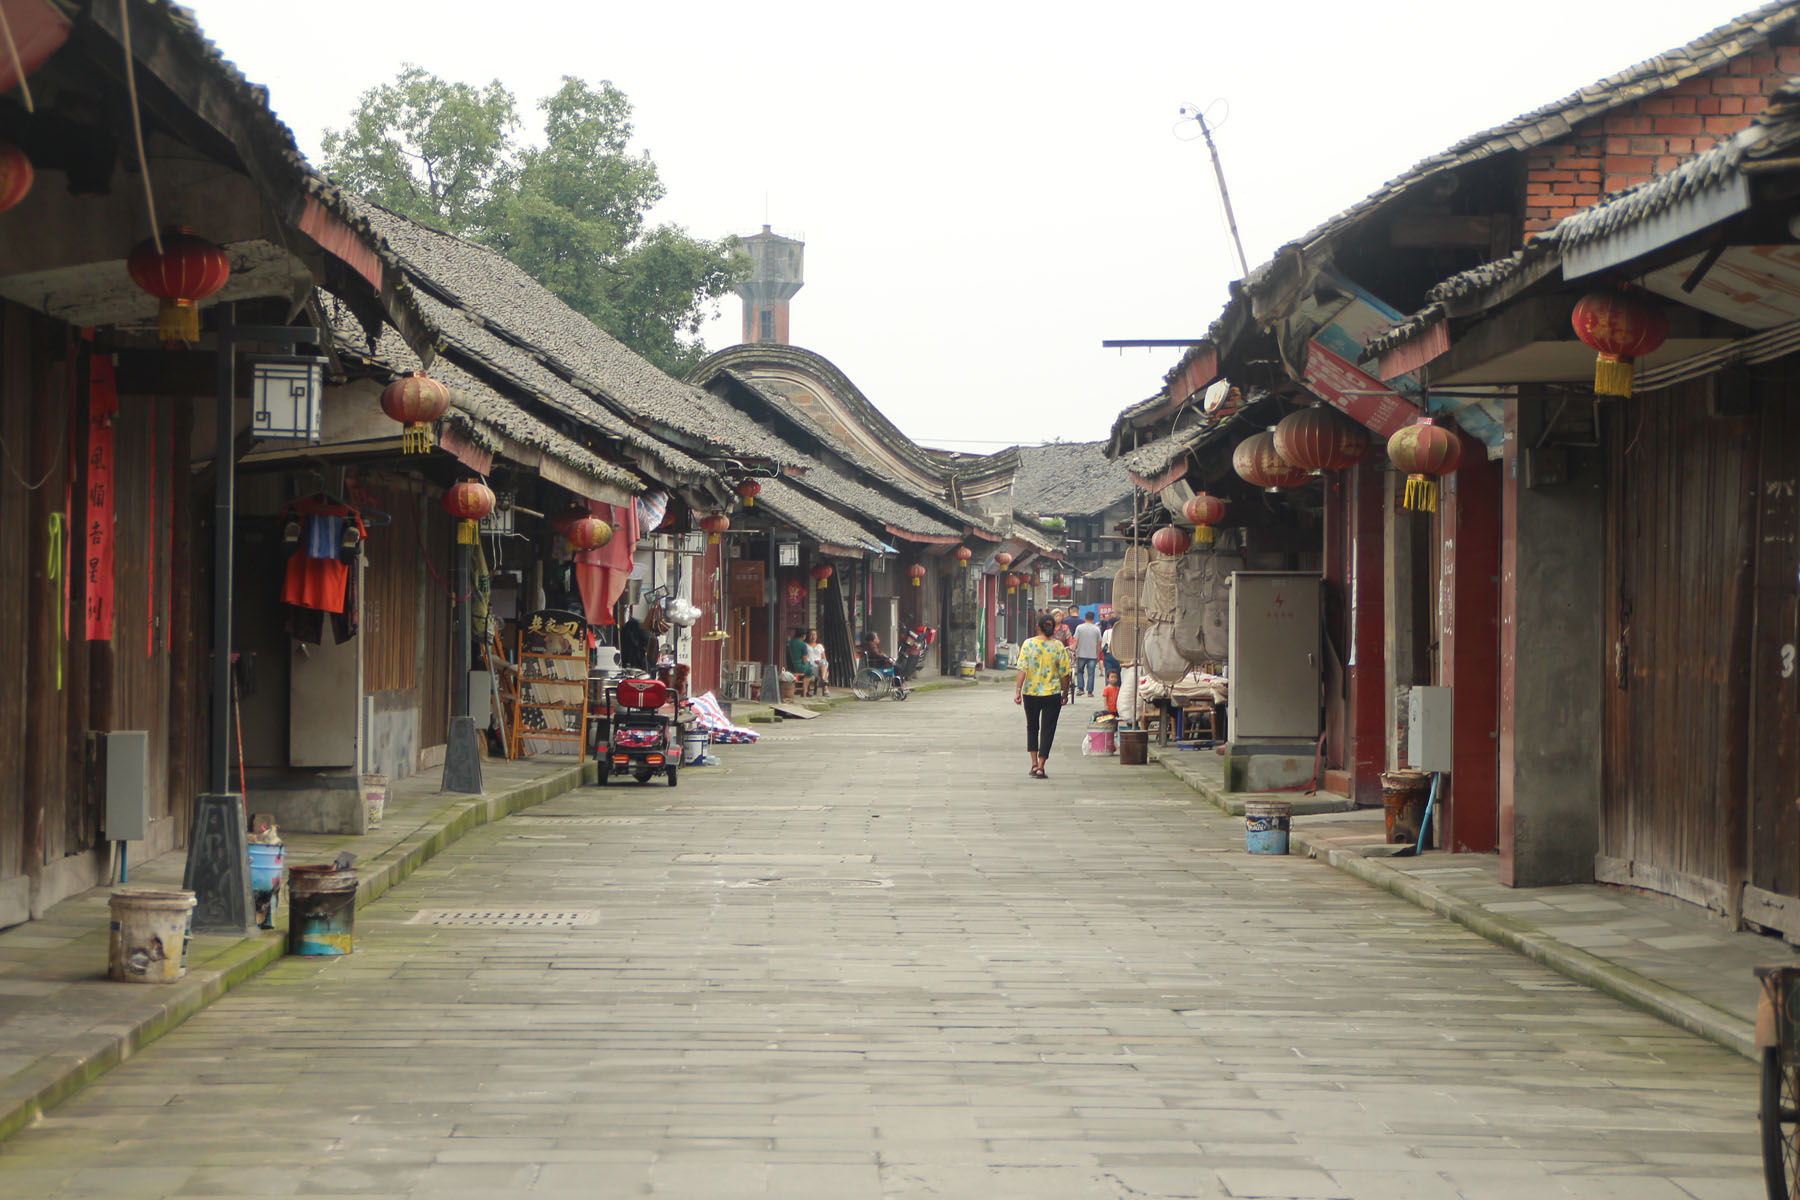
<point>870,958</point>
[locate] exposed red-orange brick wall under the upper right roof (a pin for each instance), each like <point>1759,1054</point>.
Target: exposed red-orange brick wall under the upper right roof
<point>1651,136</point>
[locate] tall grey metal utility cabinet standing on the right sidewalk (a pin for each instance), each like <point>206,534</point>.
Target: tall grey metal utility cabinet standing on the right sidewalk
<point>1275,656</point>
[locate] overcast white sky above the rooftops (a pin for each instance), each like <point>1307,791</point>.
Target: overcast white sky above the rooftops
<point>987,192</point>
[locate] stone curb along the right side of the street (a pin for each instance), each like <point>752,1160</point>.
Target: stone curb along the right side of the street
<point>1660,1001</point>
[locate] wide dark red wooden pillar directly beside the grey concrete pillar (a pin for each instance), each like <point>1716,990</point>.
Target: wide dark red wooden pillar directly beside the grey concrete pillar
<point>1470,647</point>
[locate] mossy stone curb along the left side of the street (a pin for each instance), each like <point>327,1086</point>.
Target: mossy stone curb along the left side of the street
<point>48,1084</point>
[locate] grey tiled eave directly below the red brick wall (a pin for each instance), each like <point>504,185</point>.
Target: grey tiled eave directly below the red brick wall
<point>1772,134</point>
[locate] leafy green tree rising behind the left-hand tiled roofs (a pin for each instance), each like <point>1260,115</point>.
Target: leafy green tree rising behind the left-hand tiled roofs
<point>571,213</point>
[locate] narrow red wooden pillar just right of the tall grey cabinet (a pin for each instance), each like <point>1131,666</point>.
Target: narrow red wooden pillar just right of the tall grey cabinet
<point>1367,667</point>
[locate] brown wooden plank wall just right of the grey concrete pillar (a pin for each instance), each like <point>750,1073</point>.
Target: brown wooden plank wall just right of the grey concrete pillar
<point>1675,739</point>
